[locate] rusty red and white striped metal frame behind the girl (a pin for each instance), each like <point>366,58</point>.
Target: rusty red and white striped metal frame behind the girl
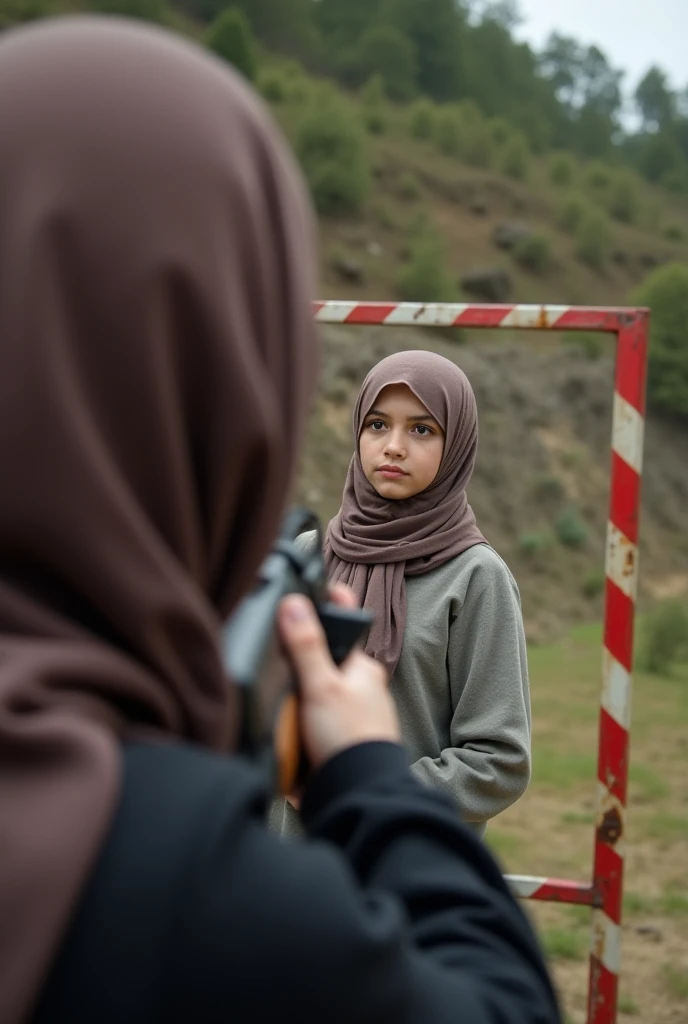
<point>605,893</point>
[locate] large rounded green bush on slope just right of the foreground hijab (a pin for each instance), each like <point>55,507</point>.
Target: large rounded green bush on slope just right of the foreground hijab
<point>331,147</point>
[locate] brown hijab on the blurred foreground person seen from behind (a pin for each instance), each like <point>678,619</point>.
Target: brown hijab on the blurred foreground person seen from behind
<point>157,358</point>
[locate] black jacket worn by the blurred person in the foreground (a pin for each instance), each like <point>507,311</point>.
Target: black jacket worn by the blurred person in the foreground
<point>196,914</point>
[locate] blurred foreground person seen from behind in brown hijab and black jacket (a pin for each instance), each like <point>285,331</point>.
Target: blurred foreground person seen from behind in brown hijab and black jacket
<point>157,358</point>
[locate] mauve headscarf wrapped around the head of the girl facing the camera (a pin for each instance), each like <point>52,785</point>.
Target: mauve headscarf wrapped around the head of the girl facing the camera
<point>373,544</point>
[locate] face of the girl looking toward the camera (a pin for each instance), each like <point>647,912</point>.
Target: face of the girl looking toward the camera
<point>401,445</point>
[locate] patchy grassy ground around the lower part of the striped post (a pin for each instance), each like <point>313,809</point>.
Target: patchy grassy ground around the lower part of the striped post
<point>550,832</point>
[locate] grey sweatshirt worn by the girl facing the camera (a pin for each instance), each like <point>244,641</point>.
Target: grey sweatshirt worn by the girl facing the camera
<point>461,688</point>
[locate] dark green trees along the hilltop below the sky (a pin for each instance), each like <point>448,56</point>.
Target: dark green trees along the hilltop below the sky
<point>566,98</point>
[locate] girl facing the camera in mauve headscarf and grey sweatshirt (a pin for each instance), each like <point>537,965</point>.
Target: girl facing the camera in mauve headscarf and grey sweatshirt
<point>448,621</point>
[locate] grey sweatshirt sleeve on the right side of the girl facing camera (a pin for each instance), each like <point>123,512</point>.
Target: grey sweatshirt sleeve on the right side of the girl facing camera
<point>488,766</point>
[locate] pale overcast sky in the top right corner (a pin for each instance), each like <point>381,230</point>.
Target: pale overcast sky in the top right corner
<point>634,34</point>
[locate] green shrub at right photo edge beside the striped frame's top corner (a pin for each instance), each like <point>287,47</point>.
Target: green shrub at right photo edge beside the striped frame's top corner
<point>666,292</point>
